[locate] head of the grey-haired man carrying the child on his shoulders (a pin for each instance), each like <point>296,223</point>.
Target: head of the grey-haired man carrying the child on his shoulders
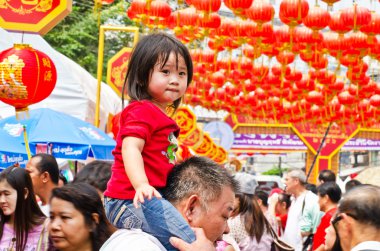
<point>204,193</point>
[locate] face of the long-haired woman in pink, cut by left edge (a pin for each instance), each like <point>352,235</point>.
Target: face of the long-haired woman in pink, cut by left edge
<point>8,198</point>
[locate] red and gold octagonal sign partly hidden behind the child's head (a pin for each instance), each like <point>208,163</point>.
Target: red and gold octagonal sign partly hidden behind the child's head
<point>117,69</point>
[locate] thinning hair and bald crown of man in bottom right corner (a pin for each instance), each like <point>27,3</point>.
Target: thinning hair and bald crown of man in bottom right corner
<point>363,204</point>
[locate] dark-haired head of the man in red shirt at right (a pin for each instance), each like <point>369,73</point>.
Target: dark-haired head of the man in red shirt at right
<point>329,195</point>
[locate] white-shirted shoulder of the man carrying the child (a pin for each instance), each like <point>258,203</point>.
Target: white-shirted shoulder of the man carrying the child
<point>132,239</point>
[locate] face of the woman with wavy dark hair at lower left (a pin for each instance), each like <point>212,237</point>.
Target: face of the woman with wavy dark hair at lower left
<point>67,227</point>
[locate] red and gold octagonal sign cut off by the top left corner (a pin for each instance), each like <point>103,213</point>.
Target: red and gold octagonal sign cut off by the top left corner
<point>37,16</point>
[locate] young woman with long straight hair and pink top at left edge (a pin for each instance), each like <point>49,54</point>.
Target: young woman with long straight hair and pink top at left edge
<point>22,223</point>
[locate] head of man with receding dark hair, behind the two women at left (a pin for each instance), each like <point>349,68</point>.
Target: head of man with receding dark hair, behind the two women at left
<point>43,170</point>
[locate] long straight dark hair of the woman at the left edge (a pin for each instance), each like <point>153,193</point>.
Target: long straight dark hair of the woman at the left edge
<point>27,214</point>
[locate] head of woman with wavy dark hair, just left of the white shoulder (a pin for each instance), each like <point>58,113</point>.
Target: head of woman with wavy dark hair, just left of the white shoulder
<point>77,218</point>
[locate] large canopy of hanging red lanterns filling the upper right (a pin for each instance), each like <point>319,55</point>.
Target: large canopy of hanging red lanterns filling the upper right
<point>314,65</point>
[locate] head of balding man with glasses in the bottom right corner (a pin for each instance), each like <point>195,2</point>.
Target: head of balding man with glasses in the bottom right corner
<point>358,216</point>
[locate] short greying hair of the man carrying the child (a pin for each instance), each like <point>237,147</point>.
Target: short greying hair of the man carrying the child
<point>198,175</point>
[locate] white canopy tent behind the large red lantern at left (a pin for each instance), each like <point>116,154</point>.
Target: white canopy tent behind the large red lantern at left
<point>75,91</point>
